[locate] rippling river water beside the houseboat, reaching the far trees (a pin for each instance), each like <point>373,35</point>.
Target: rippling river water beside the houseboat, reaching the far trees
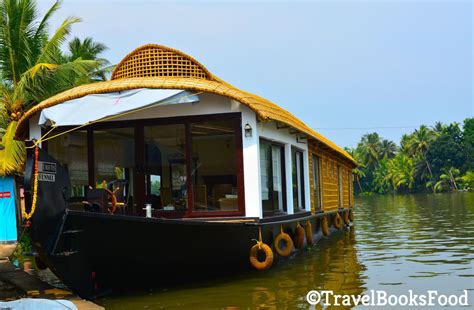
<point>399,243</point>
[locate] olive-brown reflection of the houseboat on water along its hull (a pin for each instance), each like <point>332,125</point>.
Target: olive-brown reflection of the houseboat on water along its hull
<point>331,265</point>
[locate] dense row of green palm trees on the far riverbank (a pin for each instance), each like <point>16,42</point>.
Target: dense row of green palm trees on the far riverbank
<point>427,157</point>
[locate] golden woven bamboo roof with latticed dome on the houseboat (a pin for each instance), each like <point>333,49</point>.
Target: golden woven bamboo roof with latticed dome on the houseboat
<point>161,67</point>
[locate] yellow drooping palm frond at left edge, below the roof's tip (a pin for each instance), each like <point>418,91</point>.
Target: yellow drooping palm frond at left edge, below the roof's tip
<point>12,152</point>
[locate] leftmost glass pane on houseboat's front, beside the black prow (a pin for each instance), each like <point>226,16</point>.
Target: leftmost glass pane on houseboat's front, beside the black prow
<point>71,151</point>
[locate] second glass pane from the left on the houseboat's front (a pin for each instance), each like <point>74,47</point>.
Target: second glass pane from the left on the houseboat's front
<point>114,161</point>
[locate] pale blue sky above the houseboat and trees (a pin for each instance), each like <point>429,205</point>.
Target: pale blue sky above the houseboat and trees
<point>345,68</point>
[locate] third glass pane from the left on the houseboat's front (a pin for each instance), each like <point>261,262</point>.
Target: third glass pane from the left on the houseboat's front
<point>165,167</point>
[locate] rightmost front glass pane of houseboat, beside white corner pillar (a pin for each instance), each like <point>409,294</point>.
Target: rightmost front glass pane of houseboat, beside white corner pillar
<point>214,173</point>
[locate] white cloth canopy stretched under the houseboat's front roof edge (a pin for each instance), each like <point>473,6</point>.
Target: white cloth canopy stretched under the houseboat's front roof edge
<point>95,107</point>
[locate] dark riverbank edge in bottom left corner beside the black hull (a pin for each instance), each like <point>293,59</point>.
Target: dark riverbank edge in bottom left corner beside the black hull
<point>16,284</point>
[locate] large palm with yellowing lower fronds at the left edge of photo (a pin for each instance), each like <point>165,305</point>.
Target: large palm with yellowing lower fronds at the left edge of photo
<point>32,68</point>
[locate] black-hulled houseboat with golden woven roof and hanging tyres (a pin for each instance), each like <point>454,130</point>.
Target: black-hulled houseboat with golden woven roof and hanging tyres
<point>167,169</point>
